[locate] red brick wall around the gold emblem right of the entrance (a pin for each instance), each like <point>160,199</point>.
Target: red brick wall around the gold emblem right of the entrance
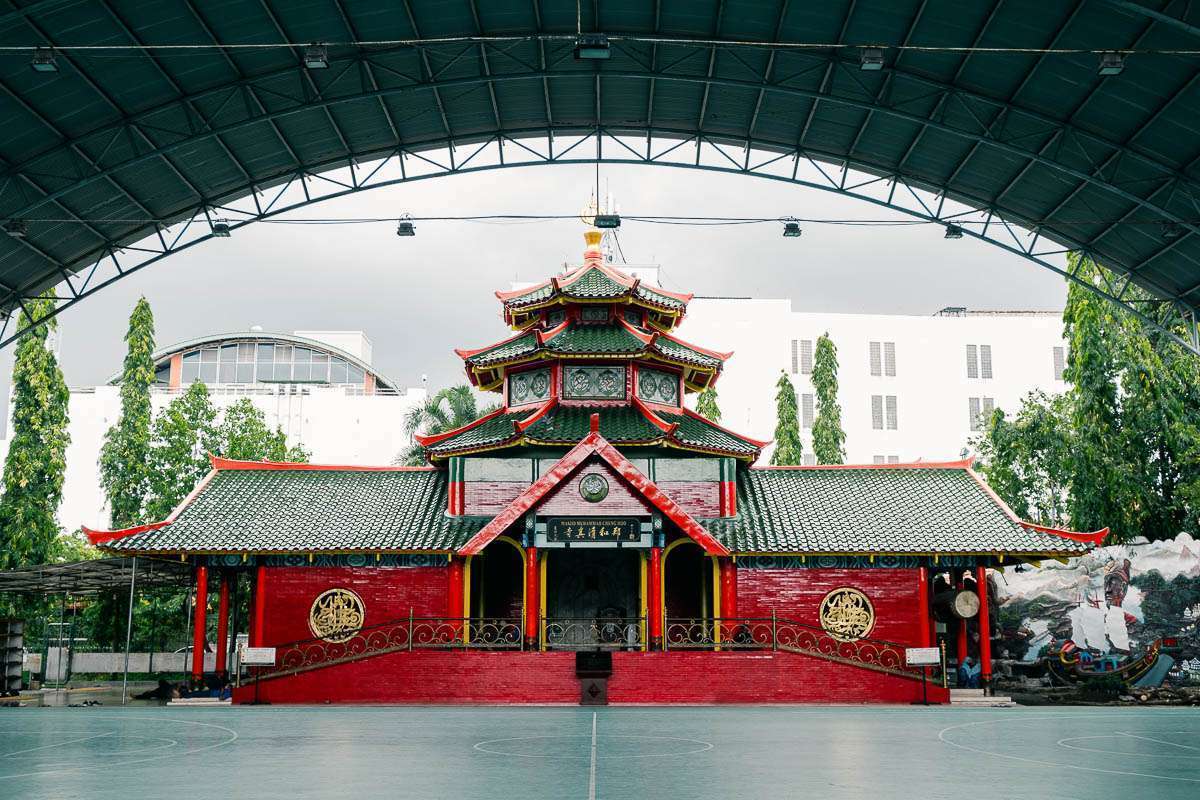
<point>797,594</point>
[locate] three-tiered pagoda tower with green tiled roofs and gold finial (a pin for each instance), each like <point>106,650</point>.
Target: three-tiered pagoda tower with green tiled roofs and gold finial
<point>595,341</point>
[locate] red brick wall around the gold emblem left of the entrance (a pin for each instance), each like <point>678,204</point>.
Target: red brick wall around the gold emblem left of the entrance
<point>387,596</point>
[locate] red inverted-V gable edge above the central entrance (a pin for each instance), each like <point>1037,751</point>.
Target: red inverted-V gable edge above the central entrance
<point>593,444</point>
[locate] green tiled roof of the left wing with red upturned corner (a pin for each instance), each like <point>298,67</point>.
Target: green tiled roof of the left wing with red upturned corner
<point>293,510</point>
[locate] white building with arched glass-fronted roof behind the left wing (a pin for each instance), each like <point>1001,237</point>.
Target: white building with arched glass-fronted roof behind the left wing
<point>319,387</point>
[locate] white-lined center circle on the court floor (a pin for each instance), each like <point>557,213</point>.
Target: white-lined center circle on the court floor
<point>609,745</point>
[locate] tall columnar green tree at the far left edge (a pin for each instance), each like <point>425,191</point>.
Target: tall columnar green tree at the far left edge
<point>37,460</point>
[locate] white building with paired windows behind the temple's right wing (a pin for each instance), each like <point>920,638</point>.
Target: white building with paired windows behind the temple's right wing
<point>910,388</point>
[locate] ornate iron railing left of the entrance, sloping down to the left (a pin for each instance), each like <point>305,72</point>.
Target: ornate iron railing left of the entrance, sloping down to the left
<point>409,634</point>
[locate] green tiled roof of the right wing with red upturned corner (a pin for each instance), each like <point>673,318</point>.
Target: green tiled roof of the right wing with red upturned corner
<point>893,510</point>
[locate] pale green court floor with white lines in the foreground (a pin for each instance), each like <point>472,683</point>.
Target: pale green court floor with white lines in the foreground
<point>536,754</point>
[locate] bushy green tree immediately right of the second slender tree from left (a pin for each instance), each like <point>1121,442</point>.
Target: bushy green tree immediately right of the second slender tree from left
<point>183,437</point>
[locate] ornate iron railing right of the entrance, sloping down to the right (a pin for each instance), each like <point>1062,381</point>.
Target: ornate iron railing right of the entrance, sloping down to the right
<point>791,636</point>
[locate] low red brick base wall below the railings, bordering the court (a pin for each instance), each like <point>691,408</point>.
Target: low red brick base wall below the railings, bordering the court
<point>538,678</point>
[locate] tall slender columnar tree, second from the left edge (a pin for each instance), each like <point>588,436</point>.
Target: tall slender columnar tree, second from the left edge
<point>124,466</point>
